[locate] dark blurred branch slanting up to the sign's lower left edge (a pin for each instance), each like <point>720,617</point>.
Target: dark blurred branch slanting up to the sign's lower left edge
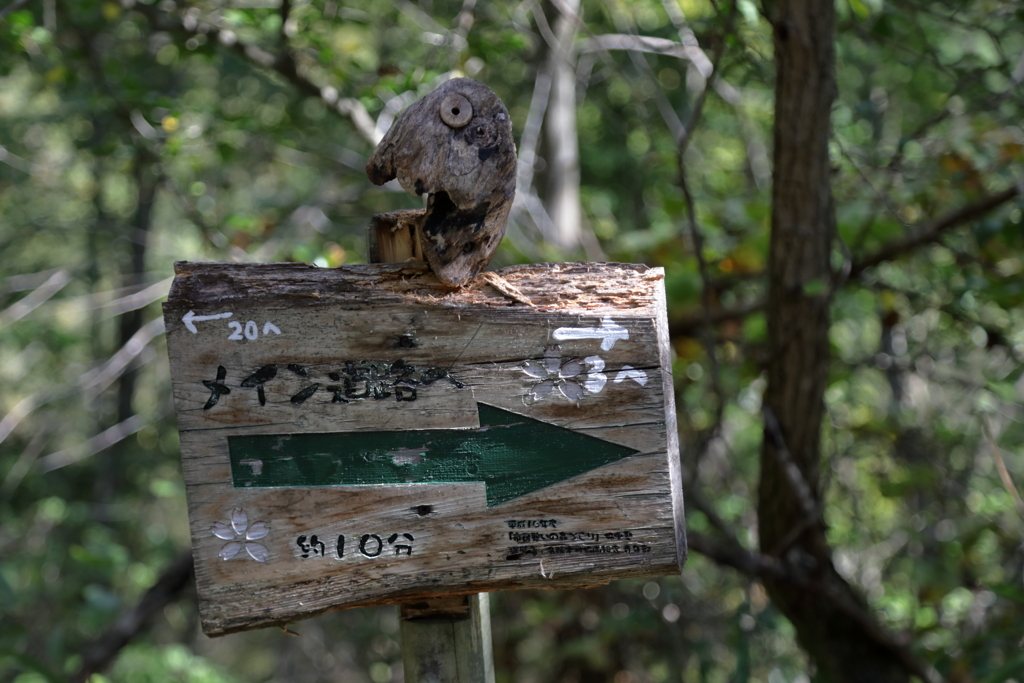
<point>168,588</point>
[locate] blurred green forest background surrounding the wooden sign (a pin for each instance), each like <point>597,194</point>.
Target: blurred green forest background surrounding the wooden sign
<point>834,192</point>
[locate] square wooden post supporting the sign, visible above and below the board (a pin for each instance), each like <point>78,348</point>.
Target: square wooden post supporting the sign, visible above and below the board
<point>445,639</point>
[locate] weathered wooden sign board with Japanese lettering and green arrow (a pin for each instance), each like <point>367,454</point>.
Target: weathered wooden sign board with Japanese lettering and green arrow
<point>359,436</point>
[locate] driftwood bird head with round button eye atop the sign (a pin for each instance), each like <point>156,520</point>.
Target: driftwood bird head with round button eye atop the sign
<point>456,147</point>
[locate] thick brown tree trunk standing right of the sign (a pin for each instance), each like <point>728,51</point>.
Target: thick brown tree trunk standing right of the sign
<point>838,632</point>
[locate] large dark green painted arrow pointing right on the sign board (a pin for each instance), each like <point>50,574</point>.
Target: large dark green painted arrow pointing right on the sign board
<point>511,454</point>
